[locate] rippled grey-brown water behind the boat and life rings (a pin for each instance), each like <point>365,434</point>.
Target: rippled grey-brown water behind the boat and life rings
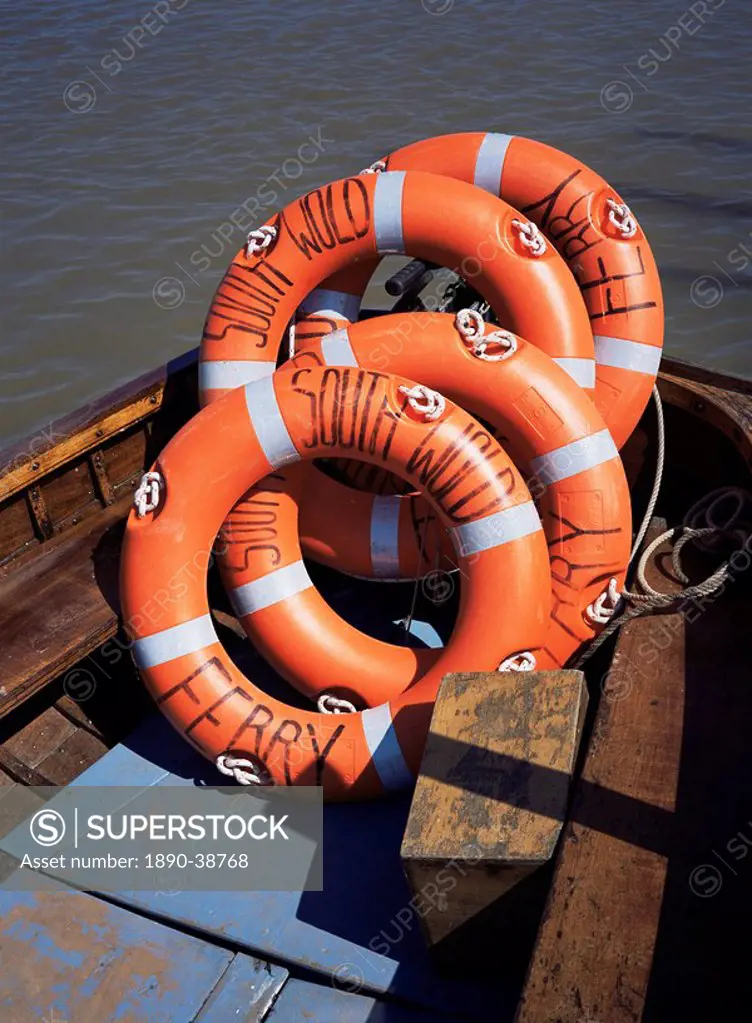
<point>132,134</point>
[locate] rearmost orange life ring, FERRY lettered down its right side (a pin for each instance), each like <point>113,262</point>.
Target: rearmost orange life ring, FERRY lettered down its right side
<point>594,231</point>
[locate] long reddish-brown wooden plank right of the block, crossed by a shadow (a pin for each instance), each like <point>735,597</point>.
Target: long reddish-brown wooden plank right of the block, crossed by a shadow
<point>595,949</point>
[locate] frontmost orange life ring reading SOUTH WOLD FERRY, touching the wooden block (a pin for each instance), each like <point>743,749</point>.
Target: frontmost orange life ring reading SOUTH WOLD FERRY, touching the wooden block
<point>205,470</point>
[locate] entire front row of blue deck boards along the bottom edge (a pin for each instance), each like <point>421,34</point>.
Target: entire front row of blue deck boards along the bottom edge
<point>70,958</point>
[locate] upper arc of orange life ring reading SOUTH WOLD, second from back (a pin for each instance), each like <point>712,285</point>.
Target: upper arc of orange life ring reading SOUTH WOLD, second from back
<point>425,215</point>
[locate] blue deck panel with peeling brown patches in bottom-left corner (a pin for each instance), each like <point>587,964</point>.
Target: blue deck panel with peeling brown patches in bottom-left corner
<point>69,957</point>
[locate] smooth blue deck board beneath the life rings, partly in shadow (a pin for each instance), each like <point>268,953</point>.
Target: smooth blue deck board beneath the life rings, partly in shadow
<point>328,932</point>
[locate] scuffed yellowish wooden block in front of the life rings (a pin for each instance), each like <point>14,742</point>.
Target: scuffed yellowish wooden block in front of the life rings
<point>493,790</point>
